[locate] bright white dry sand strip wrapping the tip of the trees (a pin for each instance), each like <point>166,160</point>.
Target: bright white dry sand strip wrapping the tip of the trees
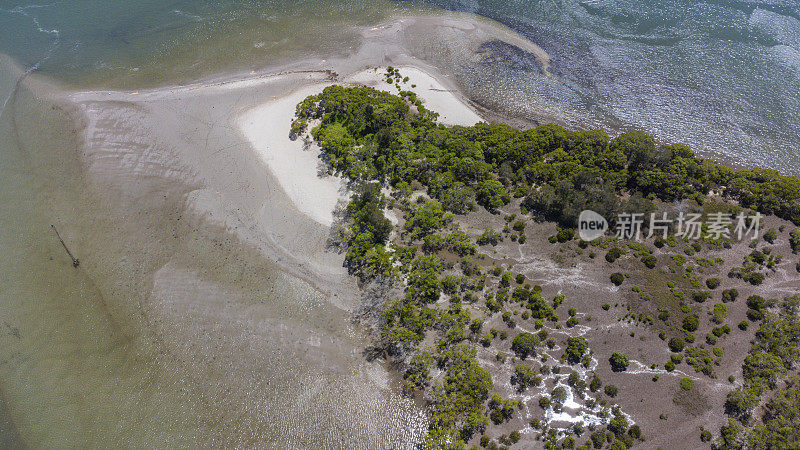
<point>266,127</point>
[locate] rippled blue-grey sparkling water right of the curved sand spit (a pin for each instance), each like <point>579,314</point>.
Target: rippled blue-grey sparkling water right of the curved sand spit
<point>722,76</point>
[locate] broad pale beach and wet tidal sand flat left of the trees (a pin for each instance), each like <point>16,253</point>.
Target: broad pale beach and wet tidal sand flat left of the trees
<point>203,233</point>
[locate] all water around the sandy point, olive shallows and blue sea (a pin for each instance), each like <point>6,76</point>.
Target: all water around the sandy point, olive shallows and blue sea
<point>95,357</point>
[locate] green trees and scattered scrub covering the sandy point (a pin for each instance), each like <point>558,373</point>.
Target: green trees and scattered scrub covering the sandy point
<point>435,318</point>
